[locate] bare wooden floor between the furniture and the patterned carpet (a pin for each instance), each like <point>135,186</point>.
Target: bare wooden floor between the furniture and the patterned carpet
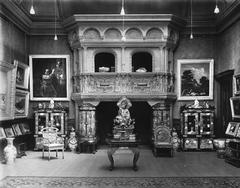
<point>190,164</point>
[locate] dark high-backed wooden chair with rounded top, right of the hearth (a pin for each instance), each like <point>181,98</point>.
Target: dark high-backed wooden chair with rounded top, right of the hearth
<point>162,140</point>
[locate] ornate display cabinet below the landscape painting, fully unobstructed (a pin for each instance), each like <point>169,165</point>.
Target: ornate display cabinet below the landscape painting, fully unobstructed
<point>197,127</point>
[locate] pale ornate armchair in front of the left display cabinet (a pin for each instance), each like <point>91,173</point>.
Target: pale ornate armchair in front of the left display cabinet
<point>51,141</point>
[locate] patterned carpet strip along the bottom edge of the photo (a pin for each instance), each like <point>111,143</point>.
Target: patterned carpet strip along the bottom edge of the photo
<point>119,182</point>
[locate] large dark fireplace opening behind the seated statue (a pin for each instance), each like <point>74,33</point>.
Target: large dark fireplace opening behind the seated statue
<point>140,111</point>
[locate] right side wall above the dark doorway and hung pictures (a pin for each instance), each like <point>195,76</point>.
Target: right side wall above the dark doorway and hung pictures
<point>228,43</point>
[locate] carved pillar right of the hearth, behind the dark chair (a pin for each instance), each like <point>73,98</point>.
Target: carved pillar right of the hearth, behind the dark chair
<point>161,115</point>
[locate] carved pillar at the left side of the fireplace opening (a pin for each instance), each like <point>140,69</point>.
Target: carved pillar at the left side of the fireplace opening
<point>87,121</point>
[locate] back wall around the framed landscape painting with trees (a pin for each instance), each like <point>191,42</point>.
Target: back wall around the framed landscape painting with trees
<point>200,47</point>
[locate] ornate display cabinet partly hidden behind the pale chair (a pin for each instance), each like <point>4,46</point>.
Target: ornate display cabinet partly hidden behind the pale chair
<point>46,117</point>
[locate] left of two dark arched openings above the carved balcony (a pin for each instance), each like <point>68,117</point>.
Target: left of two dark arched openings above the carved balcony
<point>104,62</point>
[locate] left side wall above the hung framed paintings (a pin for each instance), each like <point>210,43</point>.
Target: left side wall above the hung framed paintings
<point>13,43</point>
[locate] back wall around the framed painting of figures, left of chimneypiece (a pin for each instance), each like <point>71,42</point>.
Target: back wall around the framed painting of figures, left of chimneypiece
<point>45,45</point>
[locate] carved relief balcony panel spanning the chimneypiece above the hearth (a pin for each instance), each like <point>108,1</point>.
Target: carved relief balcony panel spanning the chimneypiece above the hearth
<point>110,86</point>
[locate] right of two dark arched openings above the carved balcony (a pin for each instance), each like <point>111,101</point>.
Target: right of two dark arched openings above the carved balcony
<point>141,62</point>
